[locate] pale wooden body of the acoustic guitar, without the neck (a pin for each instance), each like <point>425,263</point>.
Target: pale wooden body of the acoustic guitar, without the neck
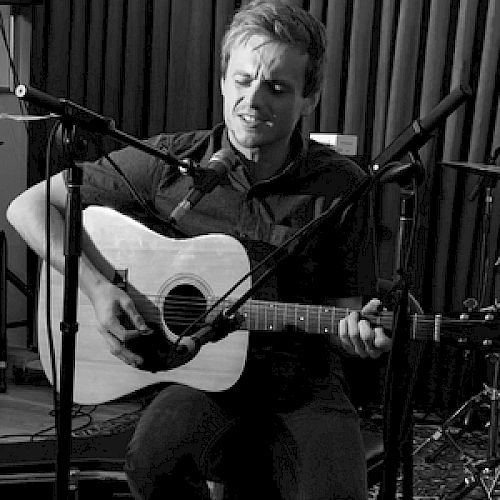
<point>153,267</point>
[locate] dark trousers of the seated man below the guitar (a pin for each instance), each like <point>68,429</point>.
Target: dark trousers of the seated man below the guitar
<point>186,436</point>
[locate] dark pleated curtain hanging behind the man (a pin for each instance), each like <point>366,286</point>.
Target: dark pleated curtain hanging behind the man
<point>153,66</point>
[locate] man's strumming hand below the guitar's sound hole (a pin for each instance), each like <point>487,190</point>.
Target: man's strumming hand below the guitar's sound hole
<point>110,303</point>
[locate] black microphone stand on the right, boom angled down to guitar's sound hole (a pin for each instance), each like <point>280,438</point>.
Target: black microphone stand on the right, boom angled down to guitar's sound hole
<point>397,443</point>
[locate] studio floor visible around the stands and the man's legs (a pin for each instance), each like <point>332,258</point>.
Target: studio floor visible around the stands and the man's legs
<point>28,444</point>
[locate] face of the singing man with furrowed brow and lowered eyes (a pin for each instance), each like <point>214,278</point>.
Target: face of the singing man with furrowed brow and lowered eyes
<point>263,93</point>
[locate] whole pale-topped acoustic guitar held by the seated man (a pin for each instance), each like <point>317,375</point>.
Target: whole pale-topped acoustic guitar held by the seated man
<point>172,282</point>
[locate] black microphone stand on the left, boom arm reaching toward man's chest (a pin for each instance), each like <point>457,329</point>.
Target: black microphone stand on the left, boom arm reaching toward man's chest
<point>75,115</point>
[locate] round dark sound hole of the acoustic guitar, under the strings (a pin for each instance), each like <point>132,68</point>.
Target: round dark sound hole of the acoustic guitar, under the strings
<point>183,305</point>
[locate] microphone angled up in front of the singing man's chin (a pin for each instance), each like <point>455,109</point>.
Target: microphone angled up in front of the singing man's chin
<point>204,181</point>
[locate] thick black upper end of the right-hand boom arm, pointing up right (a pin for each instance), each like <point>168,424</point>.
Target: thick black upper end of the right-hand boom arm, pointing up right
<point>419,132</point>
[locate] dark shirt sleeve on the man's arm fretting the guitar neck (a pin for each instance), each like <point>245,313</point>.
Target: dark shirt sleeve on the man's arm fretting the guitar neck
<point>341,253</point>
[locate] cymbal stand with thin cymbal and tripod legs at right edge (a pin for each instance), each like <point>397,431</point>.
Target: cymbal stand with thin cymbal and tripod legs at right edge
<point>483,472</point>
